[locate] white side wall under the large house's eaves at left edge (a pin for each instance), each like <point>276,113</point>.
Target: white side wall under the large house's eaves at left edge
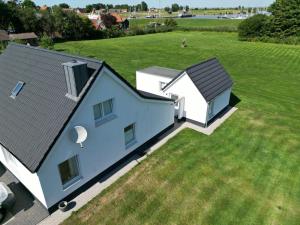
<point>29,180</point>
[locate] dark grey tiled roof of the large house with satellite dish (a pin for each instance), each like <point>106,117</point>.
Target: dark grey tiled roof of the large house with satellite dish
<point>31,123</point>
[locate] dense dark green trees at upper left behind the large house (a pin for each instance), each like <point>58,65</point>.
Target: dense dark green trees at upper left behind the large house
<point>25,16</point>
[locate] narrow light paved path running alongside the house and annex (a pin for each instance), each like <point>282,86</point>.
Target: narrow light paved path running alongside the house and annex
<point>57,217</point>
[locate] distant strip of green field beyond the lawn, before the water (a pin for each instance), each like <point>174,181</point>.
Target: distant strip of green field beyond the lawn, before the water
<point>190,23</point>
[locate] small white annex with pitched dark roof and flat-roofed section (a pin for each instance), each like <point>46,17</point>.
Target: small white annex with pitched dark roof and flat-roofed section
<point>201,91</point>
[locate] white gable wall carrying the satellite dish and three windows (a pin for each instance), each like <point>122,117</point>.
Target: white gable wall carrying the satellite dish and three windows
<point>105,144</point>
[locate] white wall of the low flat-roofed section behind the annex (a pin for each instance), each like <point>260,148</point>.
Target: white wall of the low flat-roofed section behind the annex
<point>150,83</point>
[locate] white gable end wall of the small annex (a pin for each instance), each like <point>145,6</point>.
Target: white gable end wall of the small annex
<point>195,105</point>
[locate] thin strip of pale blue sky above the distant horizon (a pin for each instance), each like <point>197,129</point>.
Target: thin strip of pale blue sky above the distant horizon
<point>155,3</point>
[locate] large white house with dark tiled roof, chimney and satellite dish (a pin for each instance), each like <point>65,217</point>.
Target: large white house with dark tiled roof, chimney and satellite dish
<point>66,119</point>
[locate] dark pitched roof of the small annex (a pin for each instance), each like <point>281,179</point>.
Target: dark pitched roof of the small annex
<point>210,78</point>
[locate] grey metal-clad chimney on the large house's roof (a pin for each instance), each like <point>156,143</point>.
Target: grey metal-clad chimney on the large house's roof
<point>76,73</point>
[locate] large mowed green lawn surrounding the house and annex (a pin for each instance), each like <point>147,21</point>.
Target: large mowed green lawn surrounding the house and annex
<point>247,172</point>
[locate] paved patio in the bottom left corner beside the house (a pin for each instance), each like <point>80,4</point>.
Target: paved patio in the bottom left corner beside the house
<point>27,209</point>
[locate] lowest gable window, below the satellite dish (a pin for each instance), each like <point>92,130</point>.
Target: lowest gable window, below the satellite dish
<point>69,171</point>
